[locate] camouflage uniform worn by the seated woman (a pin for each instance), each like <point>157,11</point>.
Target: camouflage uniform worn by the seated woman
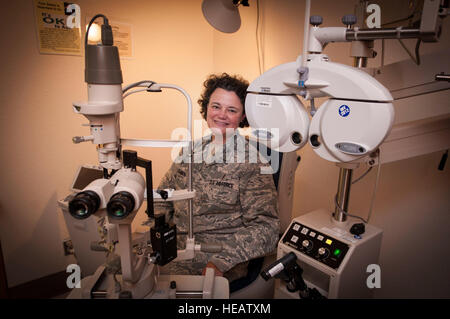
<point>235,205</point>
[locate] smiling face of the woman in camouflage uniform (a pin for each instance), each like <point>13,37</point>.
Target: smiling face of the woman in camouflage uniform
<point>225,111</point>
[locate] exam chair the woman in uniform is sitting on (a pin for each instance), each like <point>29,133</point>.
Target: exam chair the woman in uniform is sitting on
<point>253,286</point>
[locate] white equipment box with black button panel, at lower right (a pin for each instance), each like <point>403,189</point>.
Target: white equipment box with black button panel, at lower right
<point>341,273</point>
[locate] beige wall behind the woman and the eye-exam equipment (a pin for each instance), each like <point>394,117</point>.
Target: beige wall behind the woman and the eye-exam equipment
<point>174,44</point>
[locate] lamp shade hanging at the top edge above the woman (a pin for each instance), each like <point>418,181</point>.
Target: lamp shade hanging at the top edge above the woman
<point>223,15</point>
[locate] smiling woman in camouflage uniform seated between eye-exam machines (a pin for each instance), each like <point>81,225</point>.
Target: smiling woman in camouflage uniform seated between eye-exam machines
<point>235,205</point>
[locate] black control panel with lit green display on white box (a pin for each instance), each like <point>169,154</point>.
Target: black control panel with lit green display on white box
<point>315,244</point>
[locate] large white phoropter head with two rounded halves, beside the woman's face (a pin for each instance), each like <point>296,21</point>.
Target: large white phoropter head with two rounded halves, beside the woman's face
<point>350,125</point>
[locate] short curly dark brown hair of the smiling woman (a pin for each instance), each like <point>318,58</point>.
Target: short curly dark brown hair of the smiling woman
<point>234,83</point>
